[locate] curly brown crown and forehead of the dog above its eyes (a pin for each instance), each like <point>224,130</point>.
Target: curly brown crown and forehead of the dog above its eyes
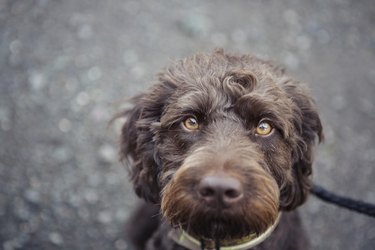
<point>215,84</point>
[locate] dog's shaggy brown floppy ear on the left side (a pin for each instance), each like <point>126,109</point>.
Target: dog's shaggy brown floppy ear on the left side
<point>138,139</point>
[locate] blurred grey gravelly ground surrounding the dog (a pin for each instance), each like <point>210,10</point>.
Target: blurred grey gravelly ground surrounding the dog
<point>67,66</point>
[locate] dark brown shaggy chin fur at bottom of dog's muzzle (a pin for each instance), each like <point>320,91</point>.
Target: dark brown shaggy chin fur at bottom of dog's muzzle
<point>228,224</point>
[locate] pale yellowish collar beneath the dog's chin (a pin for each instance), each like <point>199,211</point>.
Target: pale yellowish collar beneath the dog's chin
<point>182,238</point>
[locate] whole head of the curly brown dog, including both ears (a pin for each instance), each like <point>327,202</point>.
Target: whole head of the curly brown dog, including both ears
<point>223,143</point>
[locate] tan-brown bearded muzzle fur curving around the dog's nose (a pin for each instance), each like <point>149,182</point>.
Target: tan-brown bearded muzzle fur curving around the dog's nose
<point>253,214</point>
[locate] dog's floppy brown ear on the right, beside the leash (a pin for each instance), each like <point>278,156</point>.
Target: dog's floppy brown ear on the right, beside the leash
<point>308,127</point>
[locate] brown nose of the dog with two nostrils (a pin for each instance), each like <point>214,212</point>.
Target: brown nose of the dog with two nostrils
<point>220,191</point>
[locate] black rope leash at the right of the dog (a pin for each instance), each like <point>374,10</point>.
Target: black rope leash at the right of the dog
<point>348,203</point>
